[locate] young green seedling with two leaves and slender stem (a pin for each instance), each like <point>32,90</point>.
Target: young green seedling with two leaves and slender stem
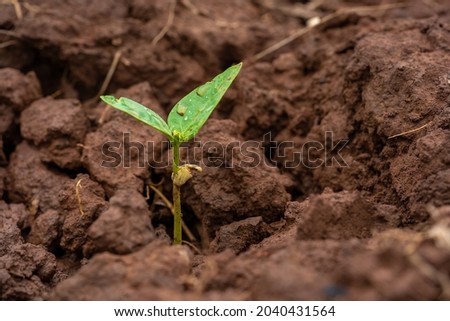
<point>185,120</point>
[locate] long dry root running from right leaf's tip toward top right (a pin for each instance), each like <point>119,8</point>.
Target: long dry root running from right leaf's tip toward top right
<point>323,20</point>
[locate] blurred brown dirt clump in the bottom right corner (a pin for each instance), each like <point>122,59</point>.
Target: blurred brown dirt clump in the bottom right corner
<point>397,259</point>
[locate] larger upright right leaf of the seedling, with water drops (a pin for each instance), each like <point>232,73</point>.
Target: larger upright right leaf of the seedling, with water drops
<point>189,115</point>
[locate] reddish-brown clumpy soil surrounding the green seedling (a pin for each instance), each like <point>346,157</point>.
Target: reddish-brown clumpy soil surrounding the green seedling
<point>368,219</point>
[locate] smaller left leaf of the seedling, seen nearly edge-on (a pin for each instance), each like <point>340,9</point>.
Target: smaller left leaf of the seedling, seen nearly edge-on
<point>139,112</point>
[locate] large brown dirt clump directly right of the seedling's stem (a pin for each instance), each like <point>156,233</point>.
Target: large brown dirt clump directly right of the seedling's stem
<point>236,197</point>
